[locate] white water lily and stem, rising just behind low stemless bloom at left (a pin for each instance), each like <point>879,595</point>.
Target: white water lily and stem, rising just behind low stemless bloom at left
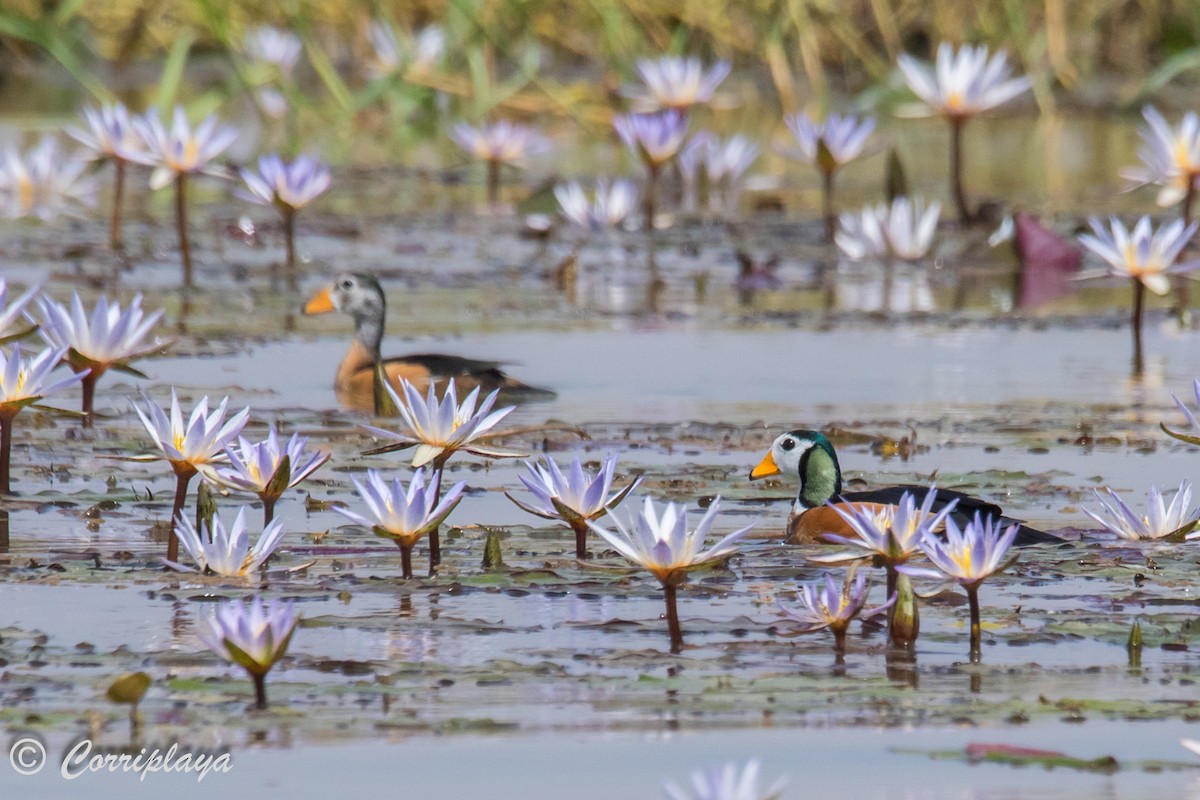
<point>191,448</point>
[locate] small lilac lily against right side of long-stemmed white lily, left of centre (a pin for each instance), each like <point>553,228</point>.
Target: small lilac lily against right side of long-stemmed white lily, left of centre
<point>267,470</point>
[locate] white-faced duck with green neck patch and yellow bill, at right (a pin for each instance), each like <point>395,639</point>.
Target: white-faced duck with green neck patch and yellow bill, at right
<point>811,458</point>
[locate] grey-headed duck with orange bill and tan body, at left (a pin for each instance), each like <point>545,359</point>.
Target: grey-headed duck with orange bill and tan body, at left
<point>362,298</point>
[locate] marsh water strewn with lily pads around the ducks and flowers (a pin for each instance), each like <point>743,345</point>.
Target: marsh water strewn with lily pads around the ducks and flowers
<point>553,678</point>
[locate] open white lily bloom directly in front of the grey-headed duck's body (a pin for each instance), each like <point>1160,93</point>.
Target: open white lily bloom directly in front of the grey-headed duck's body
<point>442,428</point>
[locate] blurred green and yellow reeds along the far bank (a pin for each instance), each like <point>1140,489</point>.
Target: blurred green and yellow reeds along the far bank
<point>569,58</point>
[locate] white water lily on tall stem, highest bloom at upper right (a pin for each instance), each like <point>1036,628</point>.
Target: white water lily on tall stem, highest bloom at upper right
<point>961,86</point>
